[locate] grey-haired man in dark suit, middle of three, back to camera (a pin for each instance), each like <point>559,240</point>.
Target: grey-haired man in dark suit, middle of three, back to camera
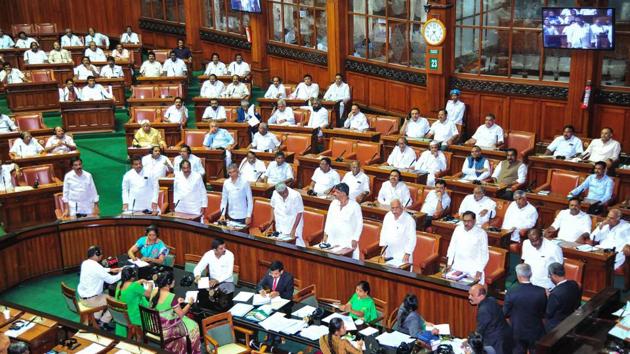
<point>525,305</point>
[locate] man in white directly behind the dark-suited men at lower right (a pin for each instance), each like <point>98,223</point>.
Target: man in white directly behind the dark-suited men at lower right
<point>539,253</point>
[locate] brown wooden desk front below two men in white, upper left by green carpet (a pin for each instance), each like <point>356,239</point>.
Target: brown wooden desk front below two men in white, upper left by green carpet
<point>88,116</point>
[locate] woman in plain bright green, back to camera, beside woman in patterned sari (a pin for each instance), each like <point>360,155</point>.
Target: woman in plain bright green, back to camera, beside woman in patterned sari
<point>131,291</point>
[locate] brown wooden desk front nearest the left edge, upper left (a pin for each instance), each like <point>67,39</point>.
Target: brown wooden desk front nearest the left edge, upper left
<point>33,96</point>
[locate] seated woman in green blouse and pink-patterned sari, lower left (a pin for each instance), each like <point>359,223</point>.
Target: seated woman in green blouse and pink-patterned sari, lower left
<point>173,316</point>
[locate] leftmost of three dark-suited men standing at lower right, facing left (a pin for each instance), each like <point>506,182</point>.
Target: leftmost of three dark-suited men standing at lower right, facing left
<point>491,324</point>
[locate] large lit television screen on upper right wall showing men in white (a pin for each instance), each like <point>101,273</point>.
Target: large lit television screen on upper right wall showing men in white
<point>579,28</point>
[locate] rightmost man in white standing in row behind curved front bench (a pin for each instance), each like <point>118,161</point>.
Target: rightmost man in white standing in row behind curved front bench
<point>468,249</point>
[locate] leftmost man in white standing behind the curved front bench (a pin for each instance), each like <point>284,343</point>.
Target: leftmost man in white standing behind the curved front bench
<point>79,192</point>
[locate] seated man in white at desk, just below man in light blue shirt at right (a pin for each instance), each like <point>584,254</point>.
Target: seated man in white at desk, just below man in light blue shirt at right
<point>572,224</point>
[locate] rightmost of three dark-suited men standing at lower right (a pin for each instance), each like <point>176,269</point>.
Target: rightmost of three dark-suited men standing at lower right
<point>563,299</point>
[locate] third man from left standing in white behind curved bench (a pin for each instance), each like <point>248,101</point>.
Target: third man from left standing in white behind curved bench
<point>189,191</point>
